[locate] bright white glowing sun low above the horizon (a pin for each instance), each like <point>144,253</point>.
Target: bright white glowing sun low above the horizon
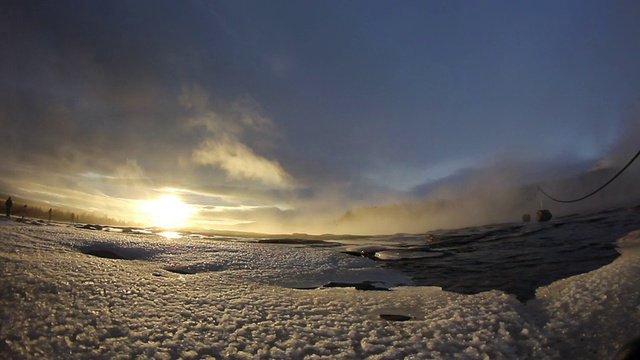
<point>167,211</point>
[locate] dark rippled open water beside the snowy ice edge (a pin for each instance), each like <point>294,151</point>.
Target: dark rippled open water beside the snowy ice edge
<point>515,258</point>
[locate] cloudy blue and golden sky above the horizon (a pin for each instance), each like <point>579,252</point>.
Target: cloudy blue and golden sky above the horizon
<point>286,116</point>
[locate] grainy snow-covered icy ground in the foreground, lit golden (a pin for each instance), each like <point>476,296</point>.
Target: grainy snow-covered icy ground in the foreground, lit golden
<point>192,298</point>
